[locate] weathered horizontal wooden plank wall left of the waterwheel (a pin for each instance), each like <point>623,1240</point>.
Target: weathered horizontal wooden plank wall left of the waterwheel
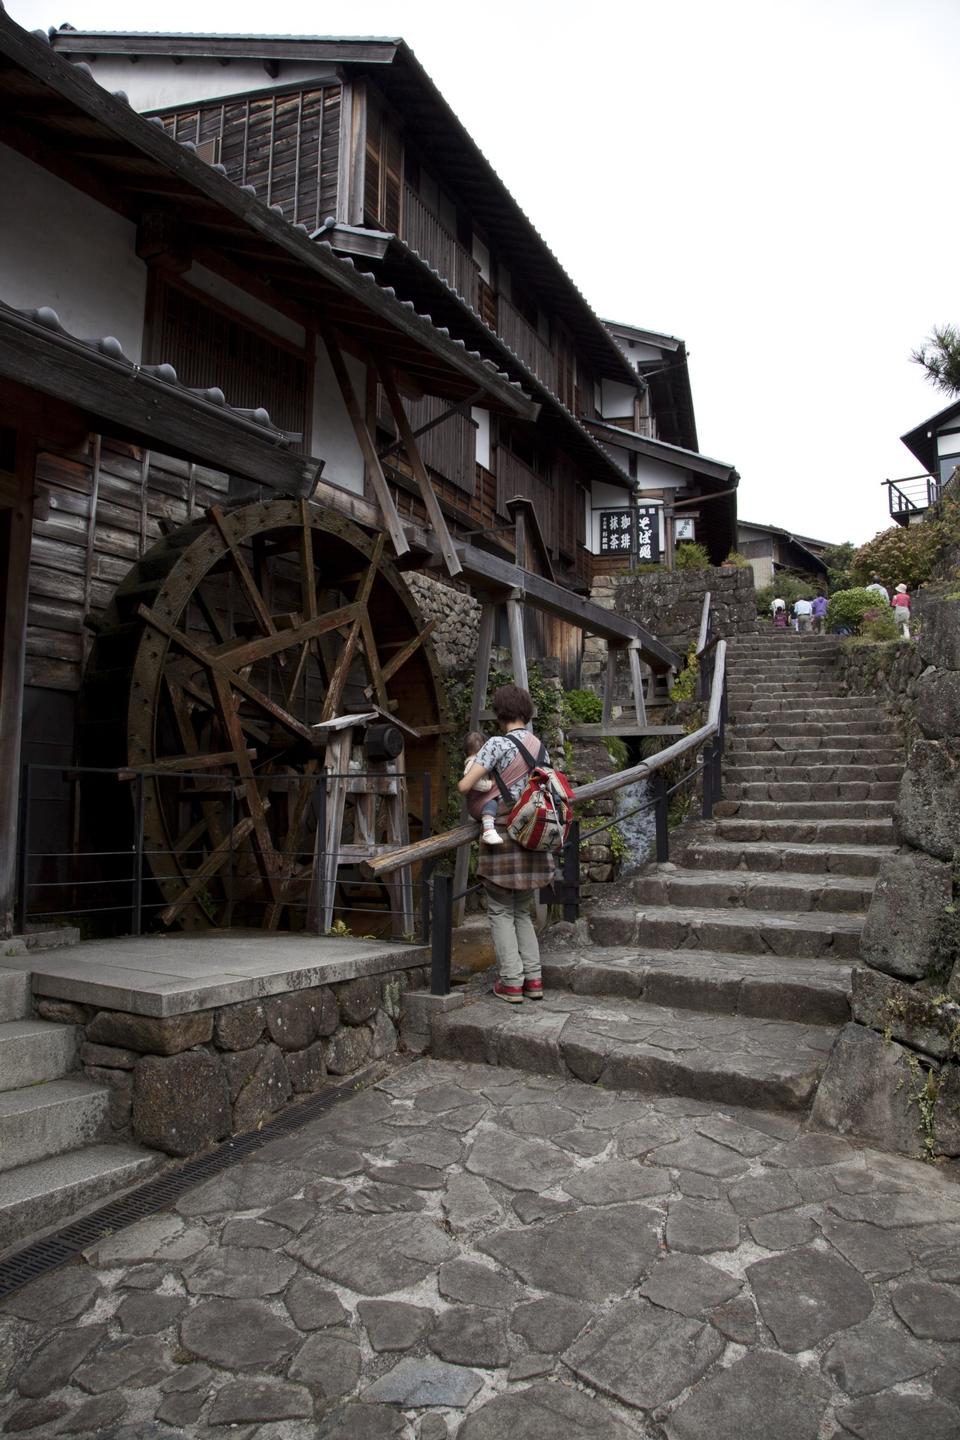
<point>106,508</point>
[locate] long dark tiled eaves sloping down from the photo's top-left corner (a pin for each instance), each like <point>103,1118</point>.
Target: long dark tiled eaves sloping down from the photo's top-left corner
<point>126,150</point>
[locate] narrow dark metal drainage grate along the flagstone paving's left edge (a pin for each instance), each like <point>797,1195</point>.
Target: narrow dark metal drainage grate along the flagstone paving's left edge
<point>162,1193</point>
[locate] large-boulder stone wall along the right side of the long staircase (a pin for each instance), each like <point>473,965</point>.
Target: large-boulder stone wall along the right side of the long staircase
<point>895,1076</point>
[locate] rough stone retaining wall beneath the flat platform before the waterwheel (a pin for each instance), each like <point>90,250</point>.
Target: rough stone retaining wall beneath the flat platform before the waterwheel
<point>179,1084</point>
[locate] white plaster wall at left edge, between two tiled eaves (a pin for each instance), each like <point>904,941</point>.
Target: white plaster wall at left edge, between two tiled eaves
<point>93,280</point>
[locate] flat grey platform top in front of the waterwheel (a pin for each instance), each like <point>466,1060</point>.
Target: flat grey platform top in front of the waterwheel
<point>175,976</point>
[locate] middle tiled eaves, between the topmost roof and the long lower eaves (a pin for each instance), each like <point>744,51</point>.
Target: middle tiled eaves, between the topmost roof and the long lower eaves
<point>407,270</point>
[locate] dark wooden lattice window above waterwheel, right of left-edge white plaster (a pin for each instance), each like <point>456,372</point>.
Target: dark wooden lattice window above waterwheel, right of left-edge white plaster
<point>211,346</point>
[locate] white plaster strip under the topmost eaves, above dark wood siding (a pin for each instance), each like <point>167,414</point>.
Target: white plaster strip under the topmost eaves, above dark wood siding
<point>156,83</point>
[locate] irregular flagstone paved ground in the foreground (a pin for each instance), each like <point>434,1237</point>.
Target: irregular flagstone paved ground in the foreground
<point>487,1255</point>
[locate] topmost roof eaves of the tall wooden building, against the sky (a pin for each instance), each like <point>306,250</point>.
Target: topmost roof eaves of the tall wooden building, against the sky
<point>431,120</point>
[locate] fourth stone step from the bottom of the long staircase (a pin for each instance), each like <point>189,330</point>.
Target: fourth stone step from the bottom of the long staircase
<point>741,889</point>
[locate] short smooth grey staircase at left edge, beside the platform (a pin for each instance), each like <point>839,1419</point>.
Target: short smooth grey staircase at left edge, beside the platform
<point>55,1150</point>
